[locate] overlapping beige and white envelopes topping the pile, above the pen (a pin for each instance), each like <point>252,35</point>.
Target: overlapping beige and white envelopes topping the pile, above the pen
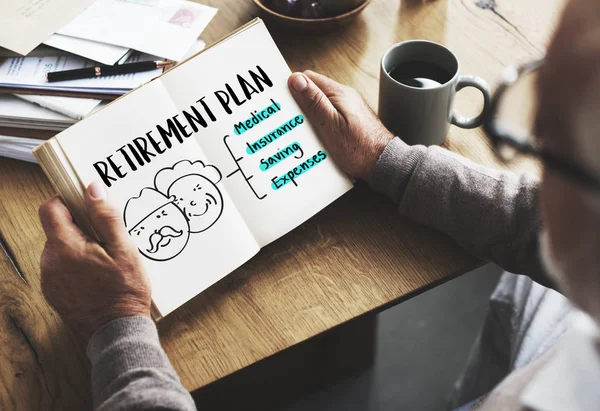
<point>104,30</point>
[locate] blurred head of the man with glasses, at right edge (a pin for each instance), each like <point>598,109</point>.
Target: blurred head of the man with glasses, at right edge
<point>569,125</point>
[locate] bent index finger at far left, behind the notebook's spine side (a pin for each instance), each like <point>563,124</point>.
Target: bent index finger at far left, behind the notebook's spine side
<point>57,221</point>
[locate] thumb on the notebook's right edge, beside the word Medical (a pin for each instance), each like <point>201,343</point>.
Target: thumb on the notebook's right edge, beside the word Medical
<point>311,99</point>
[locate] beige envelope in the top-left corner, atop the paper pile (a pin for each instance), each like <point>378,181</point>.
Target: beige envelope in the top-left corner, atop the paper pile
<point>24,24</point>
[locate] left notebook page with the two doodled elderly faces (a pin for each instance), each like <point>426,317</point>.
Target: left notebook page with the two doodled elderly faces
<point>173,199</point>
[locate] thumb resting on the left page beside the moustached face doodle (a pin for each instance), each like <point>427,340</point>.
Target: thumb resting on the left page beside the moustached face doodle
<point>104,216</point>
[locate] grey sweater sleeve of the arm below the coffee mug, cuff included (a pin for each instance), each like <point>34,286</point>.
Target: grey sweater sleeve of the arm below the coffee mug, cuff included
<point>492,214</point>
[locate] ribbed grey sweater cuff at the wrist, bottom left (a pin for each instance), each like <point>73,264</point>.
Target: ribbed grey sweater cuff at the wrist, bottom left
<point>122,345</point>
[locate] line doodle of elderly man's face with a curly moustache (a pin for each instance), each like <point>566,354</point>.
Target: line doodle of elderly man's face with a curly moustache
<point>156,224</point>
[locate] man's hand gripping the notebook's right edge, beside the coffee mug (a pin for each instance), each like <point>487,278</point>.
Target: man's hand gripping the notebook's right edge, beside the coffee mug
<point>349,129</point>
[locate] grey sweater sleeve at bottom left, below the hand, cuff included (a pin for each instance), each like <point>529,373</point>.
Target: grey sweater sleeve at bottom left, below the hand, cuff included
<point>130,370</point>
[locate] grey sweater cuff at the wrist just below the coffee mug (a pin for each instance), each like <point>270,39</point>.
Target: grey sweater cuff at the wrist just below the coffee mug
<point>395,167</point>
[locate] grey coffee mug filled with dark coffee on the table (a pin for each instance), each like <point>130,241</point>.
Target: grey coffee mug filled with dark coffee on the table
<point>417,85</point>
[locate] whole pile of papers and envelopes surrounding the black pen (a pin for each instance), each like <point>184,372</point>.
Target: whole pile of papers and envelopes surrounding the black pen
<point>85,33</point>
